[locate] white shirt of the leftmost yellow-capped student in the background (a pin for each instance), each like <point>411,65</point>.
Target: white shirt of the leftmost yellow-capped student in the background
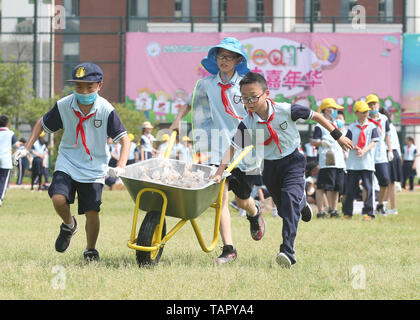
<point>320,133</point>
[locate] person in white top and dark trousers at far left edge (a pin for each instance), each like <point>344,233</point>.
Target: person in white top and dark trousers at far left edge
<point>7,142</point>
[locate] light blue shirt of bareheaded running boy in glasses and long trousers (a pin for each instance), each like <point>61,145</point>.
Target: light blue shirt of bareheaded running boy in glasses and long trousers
<point>283,123</point>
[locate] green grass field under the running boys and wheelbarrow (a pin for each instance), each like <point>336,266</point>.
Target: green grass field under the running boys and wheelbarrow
<point>336,259</point>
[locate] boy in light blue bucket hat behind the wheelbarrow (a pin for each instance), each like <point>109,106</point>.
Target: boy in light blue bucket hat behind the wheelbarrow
<point>216,113</point>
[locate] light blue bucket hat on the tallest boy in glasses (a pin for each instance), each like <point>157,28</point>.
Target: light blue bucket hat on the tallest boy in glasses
<point>231,44</point>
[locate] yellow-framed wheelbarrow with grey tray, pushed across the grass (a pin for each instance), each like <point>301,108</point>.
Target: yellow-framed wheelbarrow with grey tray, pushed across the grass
<point>161,200</point>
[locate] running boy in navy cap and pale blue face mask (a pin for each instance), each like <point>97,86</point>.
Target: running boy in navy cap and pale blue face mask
<point>87,120</point>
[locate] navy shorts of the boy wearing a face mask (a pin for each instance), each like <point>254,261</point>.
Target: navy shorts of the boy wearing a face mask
<point>89,195</point>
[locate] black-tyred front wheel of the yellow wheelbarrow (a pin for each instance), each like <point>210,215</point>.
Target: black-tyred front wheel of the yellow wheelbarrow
<point>148,235</point>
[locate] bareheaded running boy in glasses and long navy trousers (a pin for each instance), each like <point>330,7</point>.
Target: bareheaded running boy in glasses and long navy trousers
<point>284,166</point>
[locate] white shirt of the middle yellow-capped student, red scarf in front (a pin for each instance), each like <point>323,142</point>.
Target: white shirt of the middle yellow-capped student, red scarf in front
<point>367,162</point>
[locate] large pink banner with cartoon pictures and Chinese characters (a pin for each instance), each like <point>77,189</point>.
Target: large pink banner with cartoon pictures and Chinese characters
<point>162,68</point>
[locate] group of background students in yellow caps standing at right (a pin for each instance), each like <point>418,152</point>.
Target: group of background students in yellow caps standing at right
<point>372,173</point>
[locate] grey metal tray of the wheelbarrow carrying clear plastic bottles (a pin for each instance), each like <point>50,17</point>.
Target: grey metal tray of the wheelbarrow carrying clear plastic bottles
<point>183,203</point>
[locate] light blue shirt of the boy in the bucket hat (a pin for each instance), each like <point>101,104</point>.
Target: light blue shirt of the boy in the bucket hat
<point>213,127</point>
